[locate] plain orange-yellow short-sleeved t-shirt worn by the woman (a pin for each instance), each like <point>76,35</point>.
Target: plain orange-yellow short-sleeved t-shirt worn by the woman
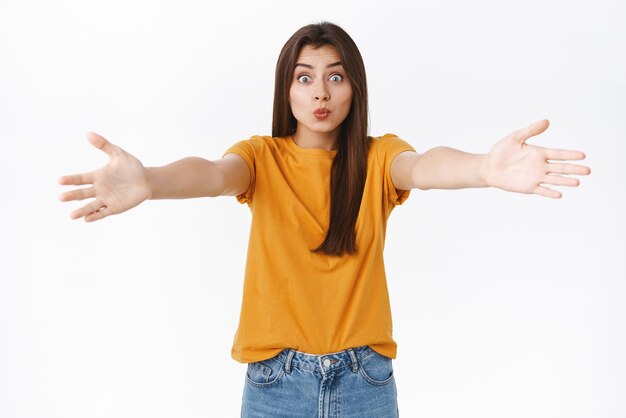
<point>292,297</point>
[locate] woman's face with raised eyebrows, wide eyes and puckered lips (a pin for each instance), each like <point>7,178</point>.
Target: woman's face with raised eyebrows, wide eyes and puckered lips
<point>320,82</point>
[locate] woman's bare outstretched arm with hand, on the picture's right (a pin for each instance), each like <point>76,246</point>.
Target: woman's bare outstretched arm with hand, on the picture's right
<point>511,165</point>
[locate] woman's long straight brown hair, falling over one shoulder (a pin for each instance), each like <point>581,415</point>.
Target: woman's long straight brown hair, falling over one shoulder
<point>349,168</point>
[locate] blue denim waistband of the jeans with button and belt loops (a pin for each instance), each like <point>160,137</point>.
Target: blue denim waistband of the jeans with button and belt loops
<point>324,363</point>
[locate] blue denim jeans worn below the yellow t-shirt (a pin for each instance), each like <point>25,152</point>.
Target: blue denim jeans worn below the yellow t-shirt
<point>357,382</point>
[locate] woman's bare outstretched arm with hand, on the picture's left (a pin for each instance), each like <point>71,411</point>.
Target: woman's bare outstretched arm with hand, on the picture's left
<point>124,182</point>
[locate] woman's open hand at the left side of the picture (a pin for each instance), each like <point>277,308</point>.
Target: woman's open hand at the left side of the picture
<point>120,185</point>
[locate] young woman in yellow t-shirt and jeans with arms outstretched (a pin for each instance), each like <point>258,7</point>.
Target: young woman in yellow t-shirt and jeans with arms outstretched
<point>315,326</point>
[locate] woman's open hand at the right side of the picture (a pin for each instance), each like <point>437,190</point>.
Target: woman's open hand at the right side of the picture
<point>516,166</point>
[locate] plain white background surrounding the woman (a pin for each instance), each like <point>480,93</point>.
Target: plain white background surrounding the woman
<point>504,305</point>
